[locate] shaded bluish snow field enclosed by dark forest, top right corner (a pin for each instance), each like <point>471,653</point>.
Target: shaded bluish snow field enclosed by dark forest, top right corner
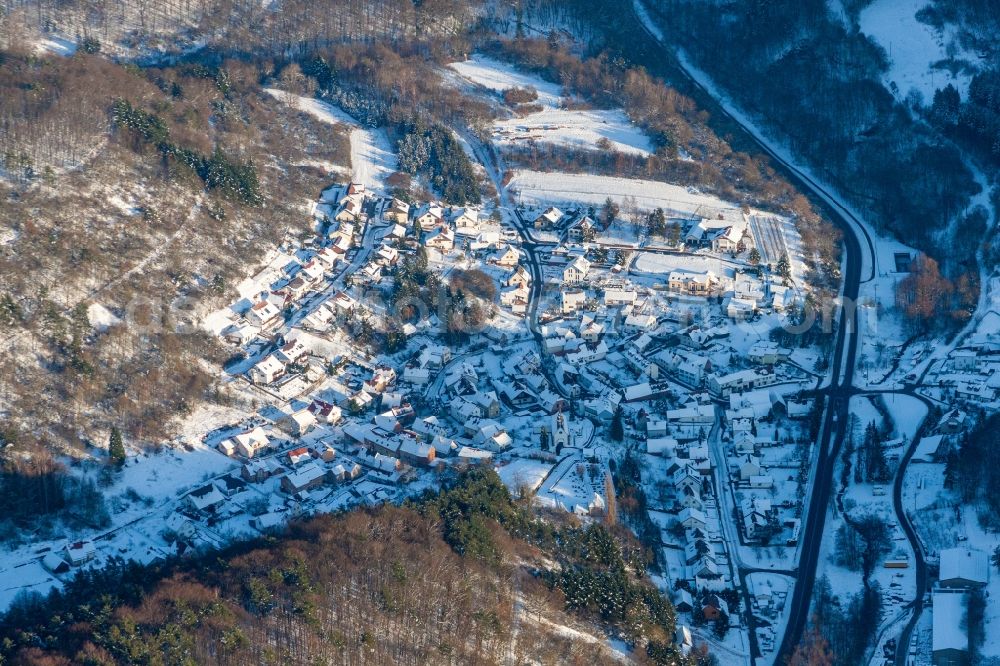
<point>913,47</point>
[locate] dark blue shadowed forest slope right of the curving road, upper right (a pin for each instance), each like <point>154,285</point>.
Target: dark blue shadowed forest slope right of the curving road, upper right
<point>814,74</point>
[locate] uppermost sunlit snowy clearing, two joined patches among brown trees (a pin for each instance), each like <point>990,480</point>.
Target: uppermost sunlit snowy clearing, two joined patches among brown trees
<point>553,124</point>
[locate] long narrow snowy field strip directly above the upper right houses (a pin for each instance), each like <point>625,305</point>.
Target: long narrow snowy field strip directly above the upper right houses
<point>567,189</point>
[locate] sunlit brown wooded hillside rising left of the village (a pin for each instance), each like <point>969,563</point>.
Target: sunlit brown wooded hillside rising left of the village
<point>117,211</point>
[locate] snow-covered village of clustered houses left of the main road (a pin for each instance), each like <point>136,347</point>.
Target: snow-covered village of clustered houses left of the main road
<point>578,340</point>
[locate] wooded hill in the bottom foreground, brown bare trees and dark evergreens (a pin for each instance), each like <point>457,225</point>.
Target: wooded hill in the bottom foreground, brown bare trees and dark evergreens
<point>461,576</point>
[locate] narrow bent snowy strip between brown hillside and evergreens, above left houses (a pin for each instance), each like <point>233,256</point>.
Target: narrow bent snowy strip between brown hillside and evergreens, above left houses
<point>372,156</point>
